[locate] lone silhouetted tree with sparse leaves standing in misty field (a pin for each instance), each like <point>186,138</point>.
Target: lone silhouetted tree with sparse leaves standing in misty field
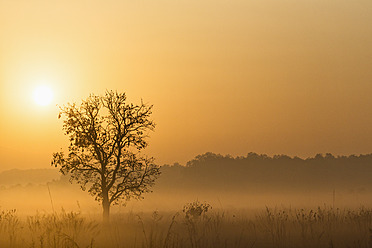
<point>106,135</point>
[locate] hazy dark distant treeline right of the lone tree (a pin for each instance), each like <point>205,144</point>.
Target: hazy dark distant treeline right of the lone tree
<point>260,172</point>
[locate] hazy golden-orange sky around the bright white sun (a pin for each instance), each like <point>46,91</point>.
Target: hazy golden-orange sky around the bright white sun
<point>276,77</point>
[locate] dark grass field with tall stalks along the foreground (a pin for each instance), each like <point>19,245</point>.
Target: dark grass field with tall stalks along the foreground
<point>270,227</point>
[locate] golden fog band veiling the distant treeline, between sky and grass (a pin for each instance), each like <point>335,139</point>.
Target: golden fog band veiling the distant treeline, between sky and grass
<point>248,182</point>
